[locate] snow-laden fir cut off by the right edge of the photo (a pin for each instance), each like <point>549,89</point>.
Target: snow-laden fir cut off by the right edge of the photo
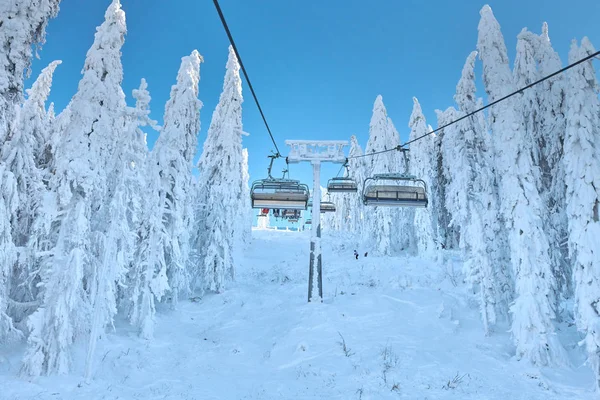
<point>582,172</point>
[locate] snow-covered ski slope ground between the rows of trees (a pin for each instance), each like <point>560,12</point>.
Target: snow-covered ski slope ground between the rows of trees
<point>388,328</point>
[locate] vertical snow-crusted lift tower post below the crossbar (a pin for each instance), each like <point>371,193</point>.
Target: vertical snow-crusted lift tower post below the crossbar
<point>315,240</point>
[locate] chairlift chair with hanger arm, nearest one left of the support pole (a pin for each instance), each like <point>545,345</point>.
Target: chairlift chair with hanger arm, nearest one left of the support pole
<point>285,194</point>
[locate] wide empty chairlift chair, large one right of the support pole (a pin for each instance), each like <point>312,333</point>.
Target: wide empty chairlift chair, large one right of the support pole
<point>409,191</point>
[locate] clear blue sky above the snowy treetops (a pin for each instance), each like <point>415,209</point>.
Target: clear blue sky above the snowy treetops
<point>316,65</point>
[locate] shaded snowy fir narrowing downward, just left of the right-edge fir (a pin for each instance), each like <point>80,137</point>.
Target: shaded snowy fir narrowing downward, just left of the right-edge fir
<point>543,109</point>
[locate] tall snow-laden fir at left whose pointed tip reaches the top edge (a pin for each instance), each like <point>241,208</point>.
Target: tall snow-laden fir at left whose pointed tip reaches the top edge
<point>77,279</point>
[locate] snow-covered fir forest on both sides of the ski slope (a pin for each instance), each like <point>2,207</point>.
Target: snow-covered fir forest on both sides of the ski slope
<point>95,225</point>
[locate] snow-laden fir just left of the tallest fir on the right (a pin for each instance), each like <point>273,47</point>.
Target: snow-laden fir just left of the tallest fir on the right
<point>472,200</point>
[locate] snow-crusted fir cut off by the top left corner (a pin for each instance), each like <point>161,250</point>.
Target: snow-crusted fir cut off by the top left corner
<point>23,25</point>
